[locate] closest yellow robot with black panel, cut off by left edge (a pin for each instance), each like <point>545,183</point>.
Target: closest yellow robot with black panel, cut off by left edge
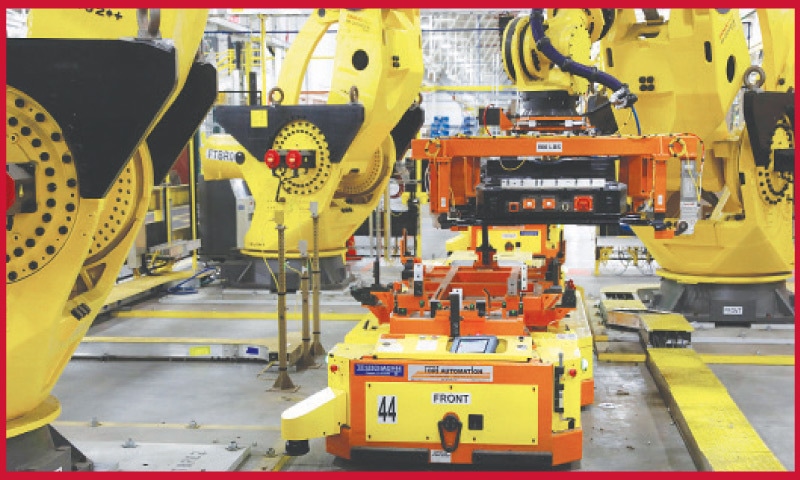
<point>98,106</point>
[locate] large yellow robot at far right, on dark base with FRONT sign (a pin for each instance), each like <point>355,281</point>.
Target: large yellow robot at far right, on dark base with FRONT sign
<point>689,71</point>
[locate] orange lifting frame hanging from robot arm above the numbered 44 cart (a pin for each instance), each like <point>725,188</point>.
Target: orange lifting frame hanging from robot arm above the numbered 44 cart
<point>455,162</point>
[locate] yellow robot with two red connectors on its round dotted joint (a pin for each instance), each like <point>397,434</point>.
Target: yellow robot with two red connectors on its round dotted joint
<point>344,150</point>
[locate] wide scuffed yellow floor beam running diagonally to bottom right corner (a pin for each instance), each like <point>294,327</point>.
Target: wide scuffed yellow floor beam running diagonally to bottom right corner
<point>718,434</point>
